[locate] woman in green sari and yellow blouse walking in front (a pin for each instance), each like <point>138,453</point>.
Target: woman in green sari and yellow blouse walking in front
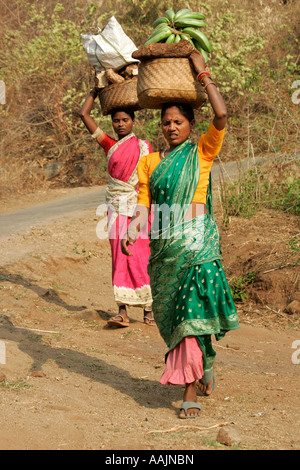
<point>191,296</point>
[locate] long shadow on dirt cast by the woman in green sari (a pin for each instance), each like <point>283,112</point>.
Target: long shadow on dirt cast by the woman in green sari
<point>147,393</point>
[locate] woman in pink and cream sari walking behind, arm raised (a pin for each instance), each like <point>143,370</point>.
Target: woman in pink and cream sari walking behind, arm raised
<point>129,274</point>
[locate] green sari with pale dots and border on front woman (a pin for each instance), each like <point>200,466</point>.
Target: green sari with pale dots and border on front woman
<point>191,296</point>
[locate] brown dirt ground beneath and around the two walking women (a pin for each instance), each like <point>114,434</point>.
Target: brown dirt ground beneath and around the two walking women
<point>69,382</point>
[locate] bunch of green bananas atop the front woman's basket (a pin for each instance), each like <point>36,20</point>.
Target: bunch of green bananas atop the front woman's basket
<point>181,26</point>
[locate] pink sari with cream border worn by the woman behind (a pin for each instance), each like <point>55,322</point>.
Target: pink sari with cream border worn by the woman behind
<point>129,273</point>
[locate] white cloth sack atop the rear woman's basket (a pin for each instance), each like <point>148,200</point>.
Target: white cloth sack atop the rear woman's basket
<point>110,49</point>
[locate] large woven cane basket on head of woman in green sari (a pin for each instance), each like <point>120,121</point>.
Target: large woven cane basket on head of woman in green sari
<point>168,80</point>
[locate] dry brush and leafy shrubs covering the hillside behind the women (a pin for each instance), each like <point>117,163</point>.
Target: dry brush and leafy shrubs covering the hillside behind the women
<point>47,74</point>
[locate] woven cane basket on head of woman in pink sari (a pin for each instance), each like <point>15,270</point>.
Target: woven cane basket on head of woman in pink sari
<point>119,95</point>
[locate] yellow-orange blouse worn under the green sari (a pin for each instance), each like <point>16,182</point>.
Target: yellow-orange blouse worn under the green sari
<point>208,148</point>
